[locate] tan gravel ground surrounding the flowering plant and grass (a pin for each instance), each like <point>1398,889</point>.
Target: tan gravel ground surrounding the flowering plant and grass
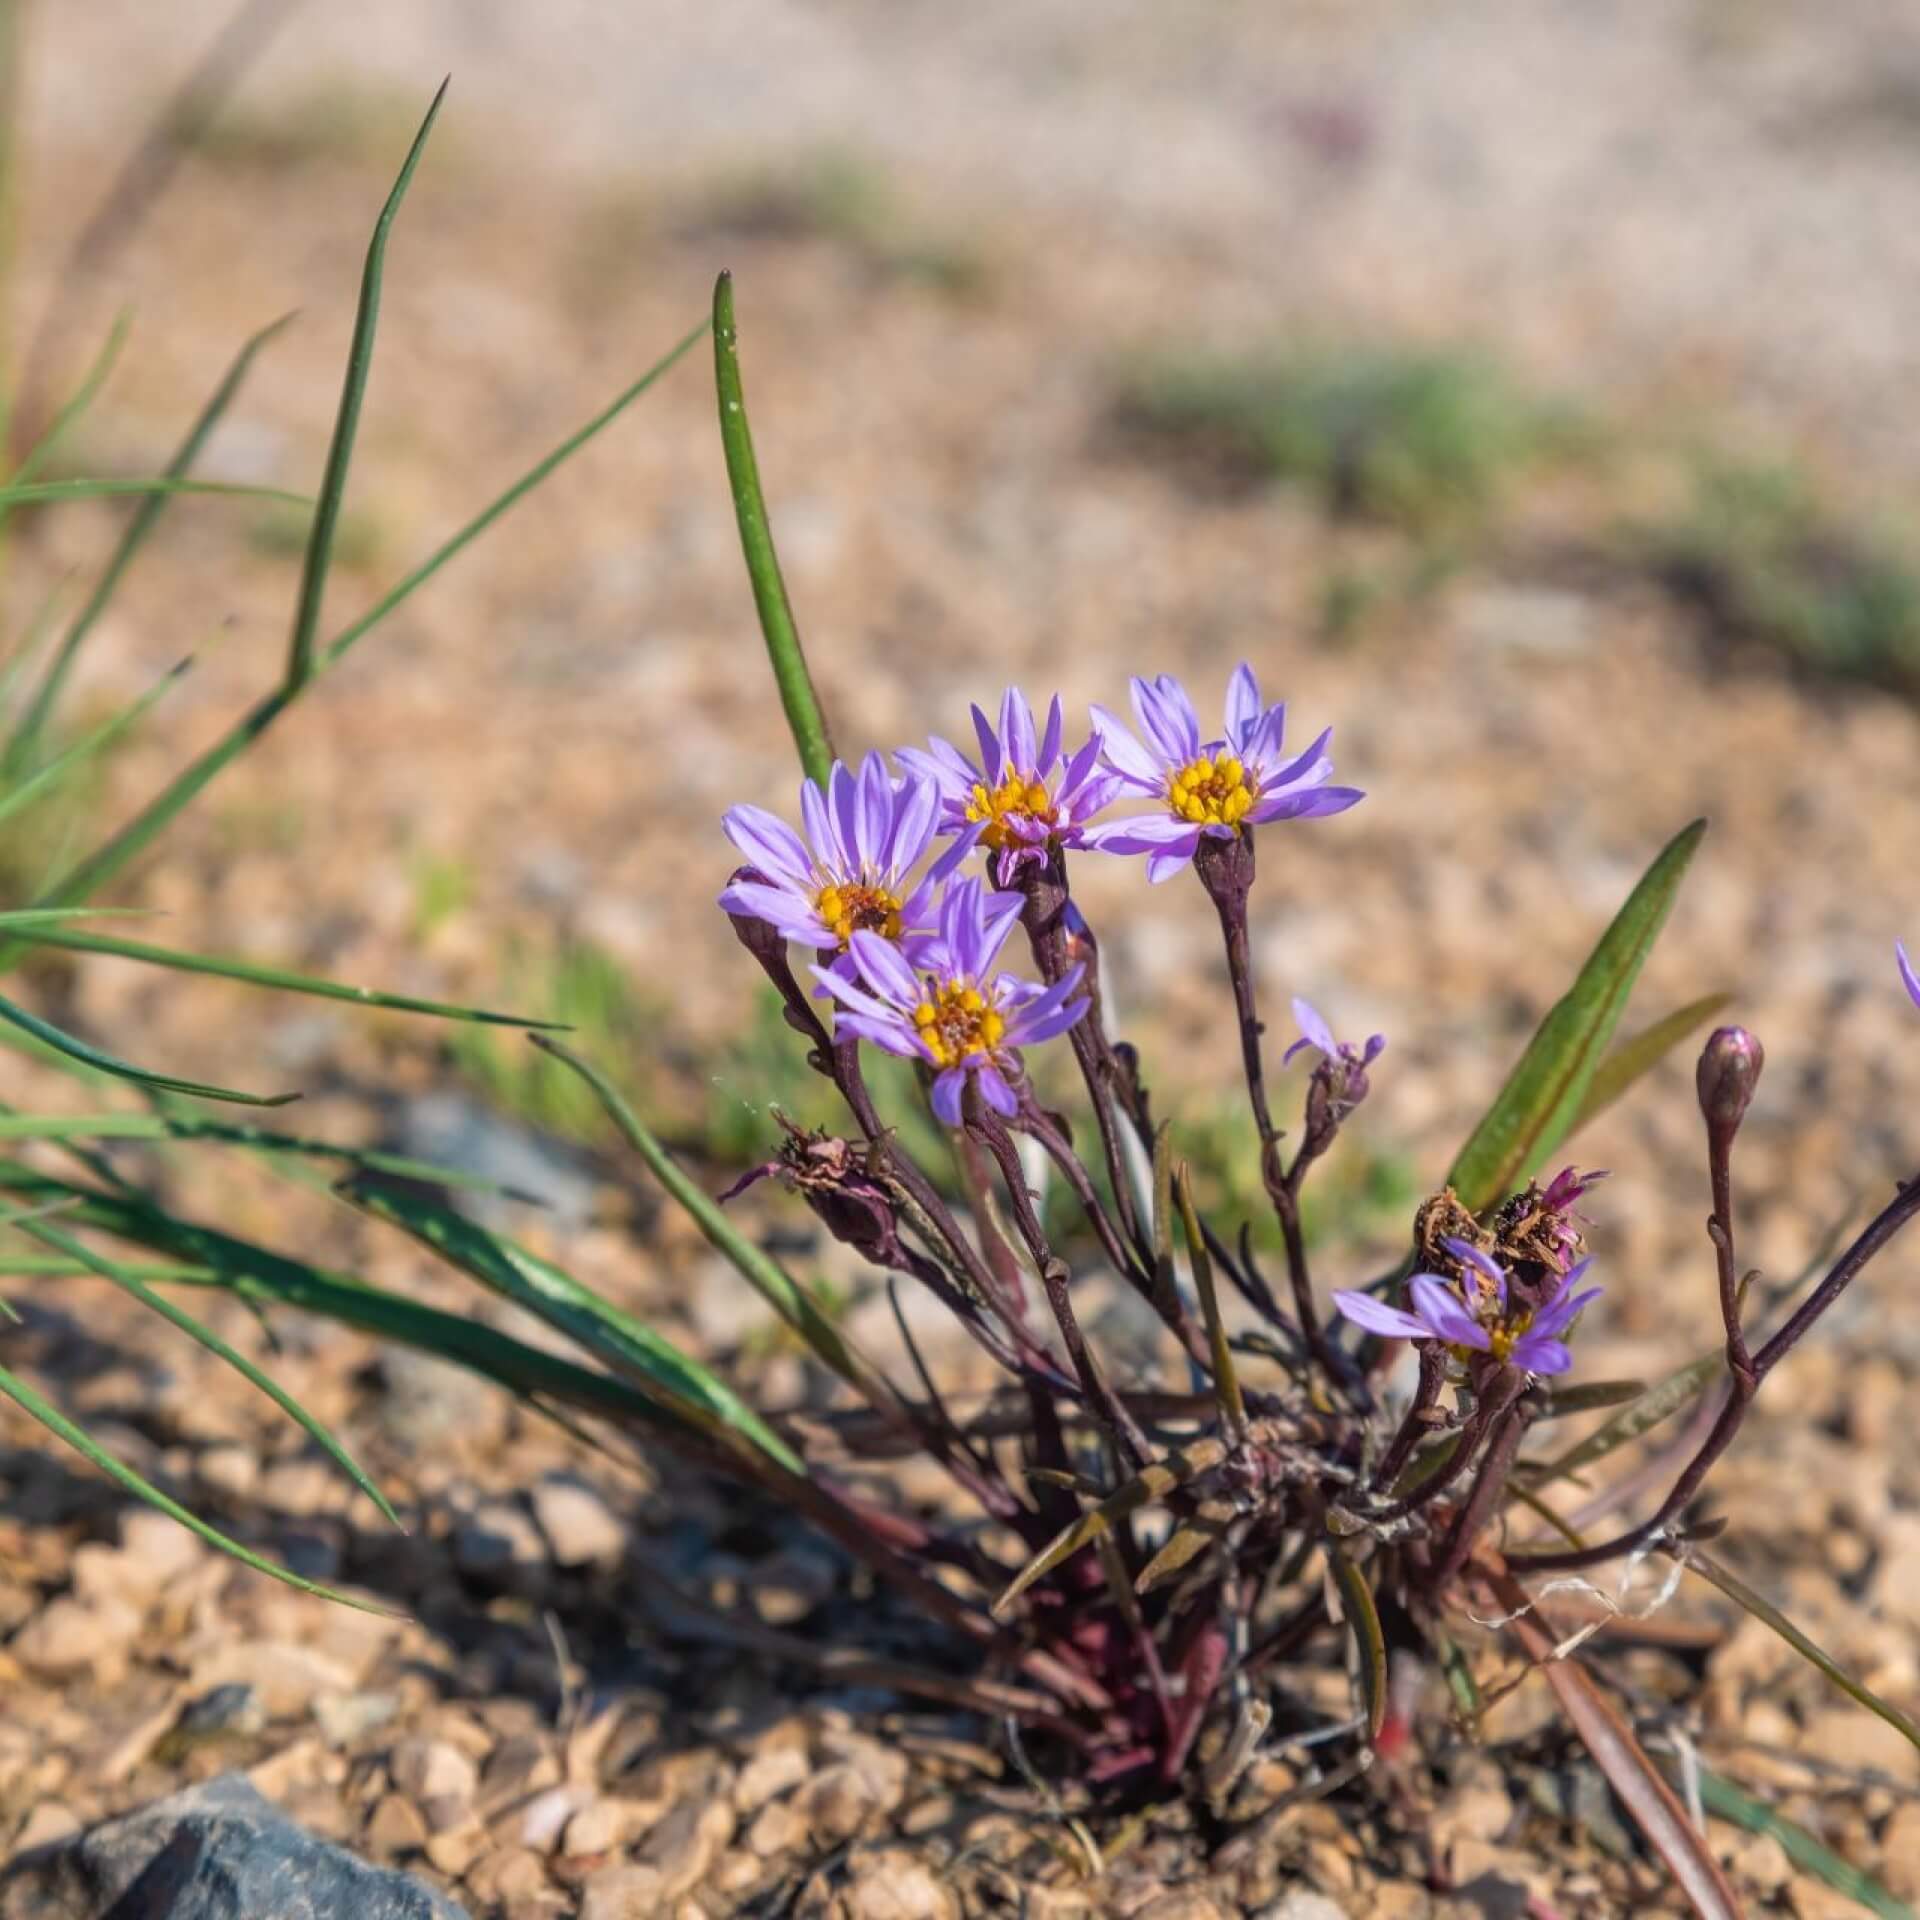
<point>1687,218</point>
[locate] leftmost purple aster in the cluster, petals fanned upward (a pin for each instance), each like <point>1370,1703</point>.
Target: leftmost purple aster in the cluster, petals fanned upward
<point>865,836</point>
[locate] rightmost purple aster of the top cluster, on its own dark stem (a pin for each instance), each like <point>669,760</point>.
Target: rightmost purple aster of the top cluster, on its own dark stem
<point>1209,788</point>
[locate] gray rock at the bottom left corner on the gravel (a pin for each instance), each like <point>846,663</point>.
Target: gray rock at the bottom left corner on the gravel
<point>216,1852</point>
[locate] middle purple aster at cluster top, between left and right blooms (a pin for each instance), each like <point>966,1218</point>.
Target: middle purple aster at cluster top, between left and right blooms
<point>1026,794</point>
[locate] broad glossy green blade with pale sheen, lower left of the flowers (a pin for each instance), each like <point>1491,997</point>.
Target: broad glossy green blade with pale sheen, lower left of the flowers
<point>596,1326</point>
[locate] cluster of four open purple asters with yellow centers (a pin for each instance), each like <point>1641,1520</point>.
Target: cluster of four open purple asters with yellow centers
<point>911,946</point>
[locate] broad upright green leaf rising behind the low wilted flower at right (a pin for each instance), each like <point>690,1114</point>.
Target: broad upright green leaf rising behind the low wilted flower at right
<point>1545,1093</point>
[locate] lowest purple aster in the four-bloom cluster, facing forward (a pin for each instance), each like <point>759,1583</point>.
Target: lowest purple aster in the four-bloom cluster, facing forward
<point>957,1013</point>
